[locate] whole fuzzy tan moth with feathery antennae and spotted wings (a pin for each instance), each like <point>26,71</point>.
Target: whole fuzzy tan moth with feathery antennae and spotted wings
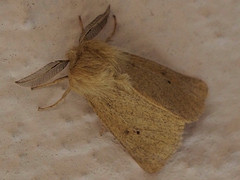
<point>142,103</point>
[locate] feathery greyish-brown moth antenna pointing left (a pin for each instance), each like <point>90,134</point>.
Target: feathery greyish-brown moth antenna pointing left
<point>44,74</point>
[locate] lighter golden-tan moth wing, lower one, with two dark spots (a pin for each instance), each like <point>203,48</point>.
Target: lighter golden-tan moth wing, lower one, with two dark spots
<point>150,134</point>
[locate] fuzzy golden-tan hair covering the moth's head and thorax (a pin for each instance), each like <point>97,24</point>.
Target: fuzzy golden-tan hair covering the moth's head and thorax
<point>94,68</point>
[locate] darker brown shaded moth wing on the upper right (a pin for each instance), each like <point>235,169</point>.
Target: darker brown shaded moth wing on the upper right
<point>182,95</point>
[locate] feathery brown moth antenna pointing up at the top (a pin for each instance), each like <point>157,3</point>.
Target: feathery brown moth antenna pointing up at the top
<point>95,26</point>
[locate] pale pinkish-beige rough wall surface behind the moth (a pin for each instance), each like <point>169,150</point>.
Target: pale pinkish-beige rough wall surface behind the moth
<point>194,37</point>
